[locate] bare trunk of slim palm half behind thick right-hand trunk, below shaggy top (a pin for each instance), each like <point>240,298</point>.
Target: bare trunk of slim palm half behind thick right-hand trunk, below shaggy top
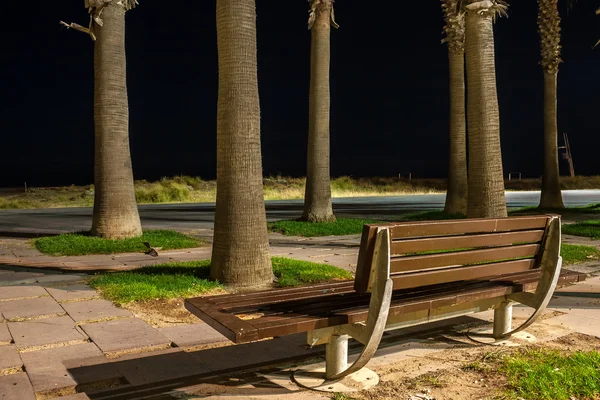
<point>456,196</point>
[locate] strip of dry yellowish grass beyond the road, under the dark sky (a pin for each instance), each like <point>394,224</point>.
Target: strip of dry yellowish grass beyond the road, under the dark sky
<point>186,189</point>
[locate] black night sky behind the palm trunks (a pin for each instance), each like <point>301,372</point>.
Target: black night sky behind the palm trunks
<point>388,81</point>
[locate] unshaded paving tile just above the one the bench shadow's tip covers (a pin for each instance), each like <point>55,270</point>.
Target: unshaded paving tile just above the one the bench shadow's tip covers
<point>45,332</point>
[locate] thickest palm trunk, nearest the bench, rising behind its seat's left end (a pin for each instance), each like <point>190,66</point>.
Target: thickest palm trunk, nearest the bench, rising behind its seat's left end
<point>240,256</point>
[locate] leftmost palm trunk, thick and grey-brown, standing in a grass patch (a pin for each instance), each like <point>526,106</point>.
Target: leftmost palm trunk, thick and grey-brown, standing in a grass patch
<point>115,209</point>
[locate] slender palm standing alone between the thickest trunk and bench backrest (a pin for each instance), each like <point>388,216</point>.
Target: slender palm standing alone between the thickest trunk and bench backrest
<point>317,197</point>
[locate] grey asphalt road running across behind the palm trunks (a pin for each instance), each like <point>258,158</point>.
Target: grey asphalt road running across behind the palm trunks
<point>201,216</point>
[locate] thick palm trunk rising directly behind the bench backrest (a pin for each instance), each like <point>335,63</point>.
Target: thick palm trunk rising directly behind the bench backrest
<point>486,182</point>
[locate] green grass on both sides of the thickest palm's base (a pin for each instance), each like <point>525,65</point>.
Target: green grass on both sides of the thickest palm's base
<point>191,278</point>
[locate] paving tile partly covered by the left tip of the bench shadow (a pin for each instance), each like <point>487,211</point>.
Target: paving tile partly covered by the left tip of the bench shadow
<point>69,366</point>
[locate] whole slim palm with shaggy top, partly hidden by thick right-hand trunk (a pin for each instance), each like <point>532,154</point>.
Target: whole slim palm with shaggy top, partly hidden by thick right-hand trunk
<point>456,196</point>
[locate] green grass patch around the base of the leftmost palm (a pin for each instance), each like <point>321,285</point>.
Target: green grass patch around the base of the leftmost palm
<point>77,244</point>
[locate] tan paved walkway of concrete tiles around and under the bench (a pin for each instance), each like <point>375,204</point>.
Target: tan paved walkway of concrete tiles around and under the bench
<point>58,338</point>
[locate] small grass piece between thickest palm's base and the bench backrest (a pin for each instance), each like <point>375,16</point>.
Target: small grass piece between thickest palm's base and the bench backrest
<point>296,272</point>
